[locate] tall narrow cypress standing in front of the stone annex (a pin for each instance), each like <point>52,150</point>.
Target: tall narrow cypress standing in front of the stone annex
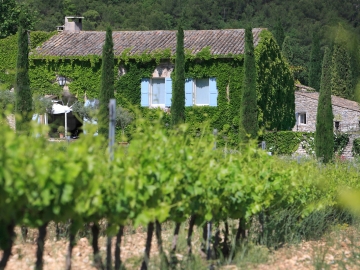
<point>324,138</point>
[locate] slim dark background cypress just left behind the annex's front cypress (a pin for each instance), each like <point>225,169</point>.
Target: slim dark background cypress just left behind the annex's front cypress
<point>315,63</point>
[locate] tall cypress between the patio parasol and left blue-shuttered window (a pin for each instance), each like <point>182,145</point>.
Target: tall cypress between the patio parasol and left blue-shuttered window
<point>107,83</point>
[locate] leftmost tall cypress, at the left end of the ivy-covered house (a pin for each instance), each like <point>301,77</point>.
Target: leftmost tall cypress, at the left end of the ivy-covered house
<point>23,96</point>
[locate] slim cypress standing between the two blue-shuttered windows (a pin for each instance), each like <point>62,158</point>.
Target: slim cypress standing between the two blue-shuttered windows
<point>178,92</point>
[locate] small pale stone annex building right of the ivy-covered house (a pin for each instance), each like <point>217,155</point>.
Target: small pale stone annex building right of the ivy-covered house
<point>346,114</point>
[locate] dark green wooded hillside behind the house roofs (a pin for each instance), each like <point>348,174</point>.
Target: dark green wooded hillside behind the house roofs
<point>301,27</point>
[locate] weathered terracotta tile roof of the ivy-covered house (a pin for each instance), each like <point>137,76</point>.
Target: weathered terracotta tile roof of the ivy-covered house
<point>221,42</point>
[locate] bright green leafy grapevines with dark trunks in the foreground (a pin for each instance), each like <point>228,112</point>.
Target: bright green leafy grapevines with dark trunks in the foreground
<point>163,176</point>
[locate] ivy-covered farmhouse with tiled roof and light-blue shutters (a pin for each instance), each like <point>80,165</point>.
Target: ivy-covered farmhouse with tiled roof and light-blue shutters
<point>144,64</point>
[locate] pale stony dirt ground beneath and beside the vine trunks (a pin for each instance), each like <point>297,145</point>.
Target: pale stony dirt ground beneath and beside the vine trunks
<point>337,250</point>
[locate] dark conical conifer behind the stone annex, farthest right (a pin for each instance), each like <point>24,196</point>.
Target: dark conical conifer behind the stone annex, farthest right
<point>341,76</point>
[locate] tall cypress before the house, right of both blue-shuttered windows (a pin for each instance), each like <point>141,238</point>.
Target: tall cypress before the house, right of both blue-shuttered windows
<point>248,106</point>
